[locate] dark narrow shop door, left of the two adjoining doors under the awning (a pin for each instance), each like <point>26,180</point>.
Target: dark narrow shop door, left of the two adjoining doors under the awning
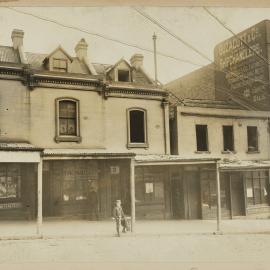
<point>178,205</point>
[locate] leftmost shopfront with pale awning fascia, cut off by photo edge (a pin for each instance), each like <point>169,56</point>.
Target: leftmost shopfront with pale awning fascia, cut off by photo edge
<point>18,181</point>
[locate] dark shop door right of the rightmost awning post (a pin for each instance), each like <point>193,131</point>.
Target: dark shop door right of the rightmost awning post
<point>237,194</point>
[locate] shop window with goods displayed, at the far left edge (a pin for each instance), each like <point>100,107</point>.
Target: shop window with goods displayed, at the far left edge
<point>10,182</point>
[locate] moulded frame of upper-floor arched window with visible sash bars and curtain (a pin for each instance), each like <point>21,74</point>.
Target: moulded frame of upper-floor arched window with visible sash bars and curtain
<point>67,138</point>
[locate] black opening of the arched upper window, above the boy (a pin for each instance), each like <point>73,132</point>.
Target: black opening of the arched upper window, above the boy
<point>137,132</point>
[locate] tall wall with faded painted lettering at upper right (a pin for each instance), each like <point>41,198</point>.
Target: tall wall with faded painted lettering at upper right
<point>240,71</point>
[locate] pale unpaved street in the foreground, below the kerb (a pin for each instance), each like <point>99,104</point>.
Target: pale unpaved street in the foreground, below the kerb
<point>196,252</point>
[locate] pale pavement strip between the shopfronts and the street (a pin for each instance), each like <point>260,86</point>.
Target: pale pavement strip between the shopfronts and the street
<point>83,228</point>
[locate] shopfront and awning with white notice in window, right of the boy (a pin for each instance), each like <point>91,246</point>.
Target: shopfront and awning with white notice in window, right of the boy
<point>167,188</point>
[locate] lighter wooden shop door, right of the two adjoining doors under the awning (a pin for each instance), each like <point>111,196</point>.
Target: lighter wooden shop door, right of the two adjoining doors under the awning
<point>193,192</point>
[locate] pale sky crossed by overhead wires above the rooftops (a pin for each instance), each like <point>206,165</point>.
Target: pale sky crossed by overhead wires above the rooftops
<point>192,24</point>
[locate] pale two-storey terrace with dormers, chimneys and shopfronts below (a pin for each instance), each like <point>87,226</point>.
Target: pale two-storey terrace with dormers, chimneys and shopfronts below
<point>71,128</point>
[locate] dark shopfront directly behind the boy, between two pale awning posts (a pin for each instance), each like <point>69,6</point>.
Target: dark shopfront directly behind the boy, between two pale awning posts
<point>85,188</point>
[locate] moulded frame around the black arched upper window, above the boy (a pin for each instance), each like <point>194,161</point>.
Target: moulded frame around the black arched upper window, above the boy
<point>130,144</point>
